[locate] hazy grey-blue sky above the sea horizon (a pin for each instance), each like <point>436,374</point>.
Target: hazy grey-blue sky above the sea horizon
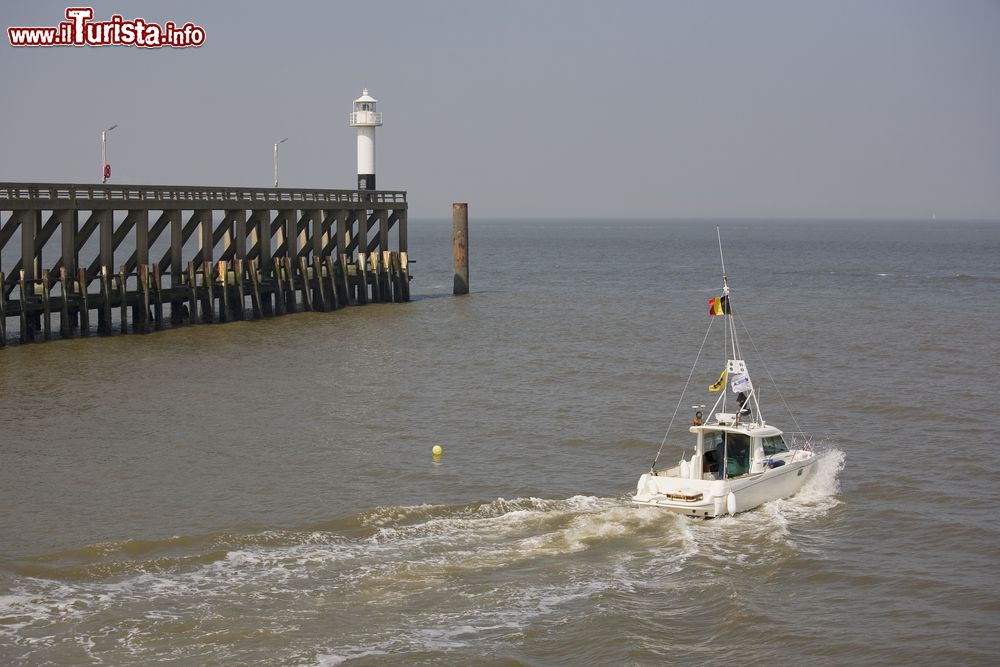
<point>672,109</point>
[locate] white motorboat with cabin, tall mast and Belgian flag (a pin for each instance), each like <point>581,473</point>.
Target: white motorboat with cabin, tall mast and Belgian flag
<point>737,460</point>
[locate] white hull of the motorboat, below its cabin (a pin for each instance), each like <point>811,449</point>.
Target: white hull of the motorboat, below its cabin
<point>716,497</point>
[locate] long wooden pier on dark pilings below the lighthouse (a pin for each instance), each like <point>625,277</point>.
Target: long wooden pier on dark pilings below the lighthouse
<point>190,255</point>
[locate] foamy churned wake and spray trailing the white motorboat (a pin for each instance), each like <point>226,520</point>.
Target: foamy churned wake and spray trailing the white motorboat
<point>484,572</point>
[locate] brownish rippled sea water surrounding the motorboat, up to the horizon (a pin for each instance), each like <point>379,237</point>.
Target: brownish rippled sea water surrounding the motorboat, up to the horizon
<point>264,492</point>
